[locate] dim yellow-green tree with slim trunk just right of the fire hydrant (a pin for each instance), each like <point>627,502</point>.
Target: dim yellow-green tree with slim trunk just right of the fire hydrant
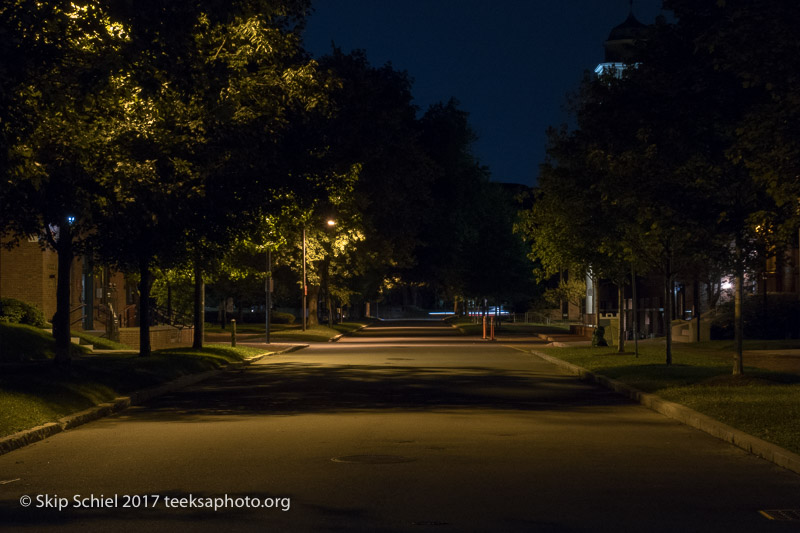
<point>579,220</point>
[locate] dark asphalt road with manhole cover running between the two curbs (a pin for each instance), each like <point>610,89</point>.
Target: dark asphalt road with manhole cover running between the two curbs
<point>405,427</point>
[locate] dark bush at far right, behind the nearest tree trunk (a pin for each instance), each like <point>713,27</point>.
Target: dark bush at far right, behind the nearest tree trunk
<point>777,319</point>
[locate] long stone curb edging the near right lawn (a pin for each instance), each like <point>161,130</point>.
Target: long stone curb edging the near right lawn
<point>766,450</point>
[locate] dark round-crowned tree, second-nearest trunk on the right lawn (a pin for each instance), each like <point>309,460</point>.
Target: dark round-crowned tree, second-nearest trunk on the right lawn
<point>650,144</point>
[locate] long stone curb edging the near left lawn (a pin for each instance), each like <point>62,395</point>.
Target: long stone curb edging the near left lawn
<point>29,436</point>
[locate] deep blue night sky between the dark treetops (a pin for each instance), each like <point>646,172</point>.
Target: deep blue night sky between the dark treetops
<point>510,63</point>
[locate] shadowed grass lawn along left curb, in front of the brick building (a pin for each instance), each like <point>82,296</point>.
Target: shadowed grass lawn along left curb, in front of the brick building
<point>33,391</point>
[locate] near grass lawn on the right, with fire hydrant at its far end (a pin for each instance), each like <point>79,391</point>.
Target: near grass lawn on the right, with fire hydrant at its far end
<point>763,403</point>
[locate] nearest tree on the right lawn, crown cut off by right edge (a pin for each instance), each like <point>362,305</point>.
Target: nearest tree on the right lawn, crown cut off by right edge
<point>754,41</point>
